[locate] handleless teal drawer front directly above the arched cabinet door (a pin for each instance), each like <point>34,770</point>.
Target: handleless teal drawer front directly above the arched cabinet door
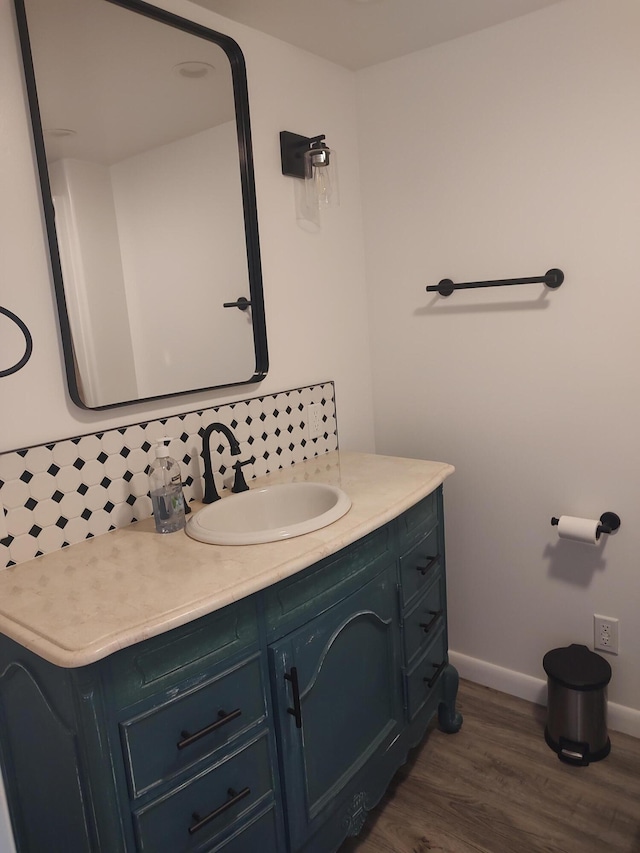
<point>295,600</point>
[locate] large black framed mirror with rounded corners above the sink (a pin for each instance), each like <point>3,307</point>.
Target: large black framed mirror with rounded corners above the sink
<point>143,144</point>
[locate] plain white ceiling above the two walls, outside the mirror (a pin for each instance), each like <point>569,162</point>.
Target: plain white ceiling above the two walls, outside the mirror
<point>359,33</point>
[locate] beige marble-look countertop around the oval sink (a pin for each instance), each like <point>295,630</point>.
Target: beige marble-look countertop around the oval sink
<point>80,604</point>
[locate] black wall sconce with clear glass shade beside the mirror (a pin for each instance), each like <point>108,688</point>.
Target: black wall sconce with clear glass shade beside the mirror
<point>310,158</point>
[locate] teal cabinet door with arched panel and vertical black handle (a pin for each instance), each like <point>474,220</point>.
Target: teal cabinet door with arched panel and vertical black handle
<point>338,693</point>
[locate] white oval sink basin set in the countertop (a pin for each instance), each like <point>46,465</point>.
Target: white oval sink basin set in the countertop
<point>269,514</point>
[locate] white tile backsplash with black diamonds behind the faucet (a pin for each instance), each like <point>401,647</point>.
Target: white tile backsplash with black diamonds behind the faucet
<point>55,495</point>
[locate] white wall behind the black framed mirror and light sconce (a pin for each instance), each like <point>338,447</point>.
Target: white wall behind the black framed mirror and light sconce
<point>314,283</point>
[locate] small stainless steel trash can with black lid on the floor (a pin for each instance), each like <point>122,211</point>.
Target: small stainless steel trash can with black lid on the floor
<point>577,682</point>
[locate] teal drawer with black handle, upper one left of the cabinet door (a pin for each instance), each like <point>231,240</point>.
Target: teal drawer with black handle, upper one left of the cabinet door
<point>200,720</point>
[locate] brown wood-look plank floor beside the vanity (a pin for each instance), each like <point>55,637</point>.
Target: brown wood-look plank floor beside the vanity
<point>496,787</point>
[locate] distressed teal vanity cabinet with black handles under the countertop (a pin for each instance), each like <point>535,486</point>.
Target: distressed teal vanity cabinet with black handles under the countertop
<point>273,724</point>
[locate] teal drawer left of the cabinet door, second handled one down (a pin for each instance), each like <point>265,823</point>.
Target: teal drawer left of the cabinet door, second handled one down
<point>189,818</point>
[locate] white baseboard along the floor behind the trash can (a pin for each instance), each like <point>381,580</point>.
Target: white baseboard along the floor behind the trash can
<point>620,718</point>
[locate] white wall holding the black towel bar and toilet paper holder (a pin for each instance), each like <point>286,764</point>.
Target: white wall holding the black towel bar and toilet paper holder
<point>506,153</point>
